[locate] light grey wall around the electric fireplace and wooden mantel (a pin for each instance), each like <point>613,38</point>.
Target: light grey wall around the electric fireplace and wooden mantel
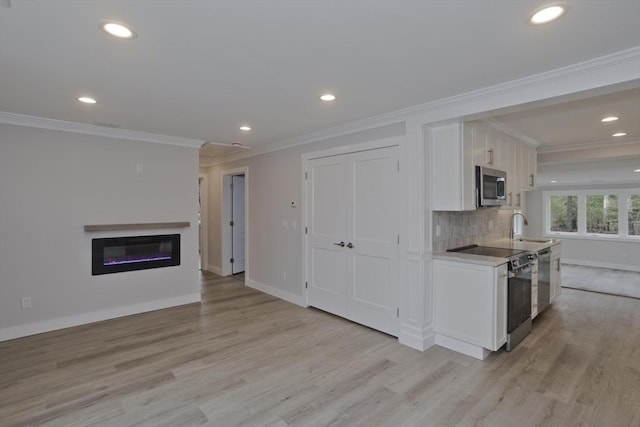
<point>51,184</point>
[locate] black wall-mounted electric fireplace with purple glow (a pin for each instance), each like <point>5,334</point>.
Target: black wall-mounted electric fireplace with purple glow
<point>118,254</point>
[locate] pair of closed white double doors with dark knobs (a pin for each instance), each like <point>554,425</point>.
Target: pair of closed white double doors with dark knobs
<point>352,247</point>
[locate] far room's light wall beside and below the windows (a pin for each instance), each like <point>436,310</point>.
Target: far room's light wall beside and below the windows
<point>596,253</point>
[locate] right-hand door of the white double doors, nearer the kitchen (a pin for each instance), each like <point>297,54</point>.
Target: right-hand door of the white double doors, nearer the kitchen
<point>372,226</point>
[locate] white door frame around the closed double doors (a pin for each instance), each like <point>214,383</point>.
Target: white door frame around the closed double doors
<point>364,146</point>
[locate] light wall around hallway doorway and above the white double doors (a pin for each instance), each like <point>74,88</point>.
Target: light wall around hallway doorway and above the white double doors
<point>275,180</point>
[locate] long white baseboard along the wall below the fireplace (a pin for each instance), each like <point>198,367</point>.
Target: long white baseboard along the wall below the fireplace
<point>13,332</point>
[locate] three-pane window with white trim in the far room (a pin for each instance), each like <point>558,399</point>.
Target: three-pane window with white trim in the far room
<point>593,213</point>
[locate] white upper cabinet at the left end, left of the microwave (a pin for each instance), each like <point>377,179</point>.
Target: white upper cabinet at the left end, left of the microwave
<point>452,170</point>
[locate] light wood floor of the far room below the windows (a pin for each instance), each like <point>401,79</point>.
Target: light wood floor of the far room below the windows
<point>617,282</point>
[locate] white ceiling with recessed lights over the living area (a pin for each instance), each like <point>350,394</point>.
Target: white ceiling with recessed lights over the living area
<point>200,69</point>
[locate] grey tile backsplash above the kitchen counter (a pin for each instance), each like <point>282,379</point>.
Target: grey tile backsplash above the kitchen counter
<point>465,228</point>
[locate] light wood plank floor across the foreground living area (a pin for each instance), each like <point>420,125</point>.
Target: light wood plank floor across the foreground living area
<point>246,358</point>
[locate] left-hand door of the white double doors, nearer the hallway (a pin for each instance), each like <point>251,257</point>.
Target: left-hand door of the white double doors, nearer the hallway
<point>326,253</point>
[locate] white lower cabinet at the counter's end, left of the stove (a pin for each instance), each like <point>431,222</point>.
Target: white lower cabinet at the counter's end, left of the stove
<point>470,307</point>
